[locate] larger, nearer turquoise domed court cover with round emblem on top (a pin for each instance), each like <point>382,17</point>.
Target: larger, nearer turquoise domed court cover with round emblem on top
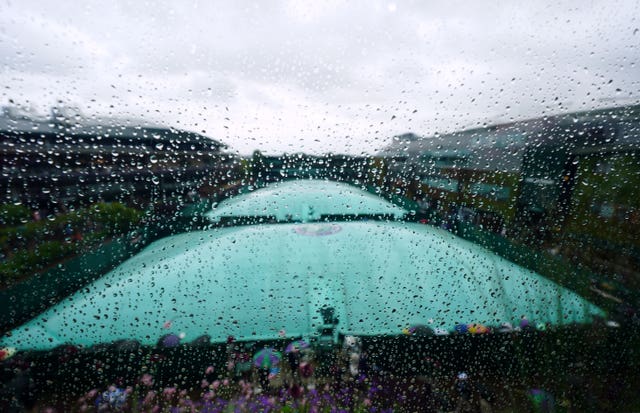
<point>271,281</point>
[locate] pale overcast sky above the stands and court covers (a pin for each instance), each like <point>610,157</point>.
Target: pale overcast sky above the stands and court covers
<point>319,76</point>
